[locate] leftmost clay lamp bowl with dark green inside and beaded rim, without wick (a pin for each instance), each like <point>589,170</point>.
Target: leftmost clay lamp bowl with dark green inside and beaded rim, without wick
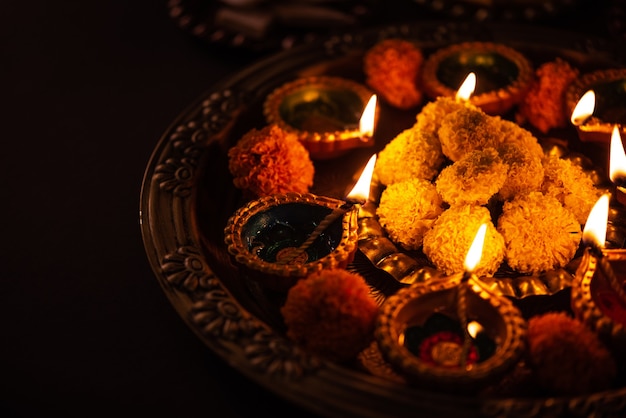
<point>262,235</point>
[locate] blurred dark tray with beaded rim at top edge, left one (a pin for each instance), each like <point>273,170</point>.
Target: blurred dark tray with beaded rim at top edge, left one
<point>266,25</point>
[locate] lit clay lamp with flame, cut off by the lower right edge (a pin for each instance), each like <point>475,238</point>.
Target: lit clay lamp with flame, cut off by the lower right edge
<point>599,289</point>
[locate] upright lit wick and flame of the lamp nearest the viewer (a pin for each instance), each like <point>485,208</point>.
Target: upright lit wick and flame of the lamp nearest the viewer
<point>472,259</point>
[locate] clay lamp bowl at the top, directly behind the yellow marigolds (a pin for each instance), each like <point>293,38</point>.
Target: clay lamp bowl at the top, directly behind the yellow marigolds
<point>503,75</point>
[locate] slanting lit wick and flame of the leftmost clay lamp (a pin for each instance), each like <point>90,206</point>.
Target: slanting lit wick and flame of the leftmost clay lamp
<point>357,196</point>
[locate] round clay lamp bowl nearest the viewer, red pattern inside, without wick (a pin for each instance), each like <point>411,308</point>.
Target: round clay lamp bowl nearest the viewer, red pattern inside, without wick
<point>419,333</point>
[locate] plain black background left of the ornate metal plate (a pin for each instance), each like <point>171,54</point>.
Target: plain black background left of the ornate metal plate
<point>85,330</point>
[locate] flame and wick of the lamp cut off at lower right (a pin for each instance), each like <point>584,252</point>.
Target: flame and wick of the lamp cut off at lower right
<point>594,236</point>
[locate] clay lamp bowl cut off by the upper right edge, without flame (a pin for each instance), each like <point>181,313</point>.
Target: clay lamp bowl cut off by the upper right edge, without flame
<point>609,87</point>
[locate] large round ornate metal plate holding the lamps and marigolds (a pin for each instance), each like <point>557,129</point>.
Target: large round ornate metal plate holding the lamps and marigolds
<point>188,196</point>
